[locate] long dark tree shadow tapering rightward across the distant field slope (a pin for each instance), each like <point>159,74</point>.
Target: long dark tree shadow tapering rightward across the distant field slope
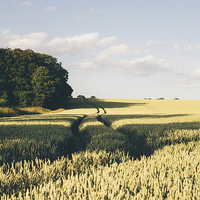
<point>79,103</point>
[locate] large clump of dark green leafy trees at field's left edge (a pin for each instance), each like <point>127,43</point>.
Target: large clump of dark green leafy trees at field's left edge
<point>32,79</point>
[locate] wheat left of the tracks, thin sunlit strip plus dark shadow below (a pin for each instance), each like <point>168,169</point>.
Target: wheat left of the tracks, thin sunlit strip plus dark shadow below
<point>42,138</point>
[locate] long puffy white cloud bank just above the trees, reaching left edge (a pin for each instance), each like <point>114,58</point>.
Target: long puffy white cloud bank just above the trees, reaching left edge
<point>58,45</point>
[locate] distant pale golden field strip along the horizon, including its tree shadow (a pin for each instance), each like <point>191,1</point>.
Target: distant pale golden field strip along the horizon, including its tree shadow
<point>135,106</point>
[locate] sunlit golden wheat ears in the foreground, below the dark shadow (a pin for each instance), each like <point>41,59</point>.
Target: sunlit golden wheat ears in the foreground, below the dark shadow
<point>170,173</point>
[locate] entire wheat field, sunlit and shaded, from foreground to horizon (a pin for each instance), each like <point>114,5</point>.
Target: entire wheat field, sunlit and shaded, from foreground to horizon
<point>137,149</point>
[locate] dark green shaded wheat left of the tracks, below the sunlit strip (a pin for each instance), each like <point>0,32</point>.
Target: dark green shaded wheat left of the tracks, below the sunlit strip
<point>26,142</point>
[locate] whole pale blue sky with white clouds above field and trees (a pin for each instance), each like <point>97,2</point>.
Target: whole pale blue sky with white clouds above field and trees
<point>129,49</point>
